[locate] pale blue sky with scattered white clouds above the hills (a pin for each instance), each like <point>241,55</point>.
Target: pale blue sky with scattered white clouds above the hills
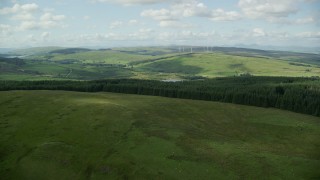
<point>110,23</point>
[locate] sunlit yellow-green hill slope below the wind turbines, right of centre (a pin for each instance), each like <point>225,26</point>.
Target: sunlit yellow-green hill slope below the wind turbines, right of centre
<point>216,64</point>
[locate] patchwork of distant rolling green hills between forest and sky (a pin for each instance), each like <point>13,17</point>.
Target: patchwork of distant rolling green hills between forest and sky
<point>159,63</point>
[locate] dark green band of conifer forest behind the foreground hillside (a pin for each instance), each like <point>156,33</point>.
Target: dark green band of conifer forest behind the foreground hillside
<point>295,94</point>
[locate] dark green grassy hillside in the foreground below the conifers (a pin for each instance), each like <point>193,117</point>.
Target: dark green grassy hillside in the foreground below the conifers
<point>70,135</point>
